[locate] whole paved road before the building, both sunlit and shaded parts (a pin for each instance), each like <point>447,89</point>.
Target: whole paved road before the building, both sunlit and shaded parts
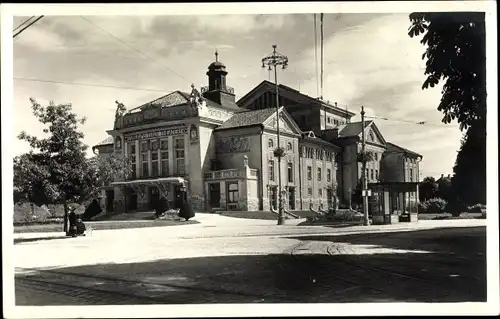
<point>227,261</point>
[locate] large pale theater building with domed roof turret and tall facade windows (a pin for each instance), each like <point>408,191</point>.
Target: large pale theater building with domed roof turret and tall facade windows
<point>222,151</point>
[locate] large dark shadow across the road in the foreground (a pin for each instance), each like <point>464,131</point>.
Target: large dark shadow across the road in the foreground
<point>454,271</point>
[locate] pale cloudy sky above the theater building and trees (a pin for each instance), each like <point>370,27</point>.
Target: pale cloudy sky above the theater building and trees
<point>369,60</point>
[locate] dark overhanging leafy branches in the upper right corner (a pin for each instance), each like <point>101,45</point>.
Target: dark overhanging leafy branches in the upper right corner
<point>456,54</point>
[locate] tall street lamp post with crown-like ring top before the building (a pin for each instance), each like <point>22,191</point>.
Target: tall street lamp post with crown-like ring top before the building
<point>274,60</point>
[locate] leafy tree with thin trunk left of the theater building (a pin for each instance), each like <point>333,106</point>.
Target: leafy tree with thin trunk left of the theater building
<point>57,170</point>
